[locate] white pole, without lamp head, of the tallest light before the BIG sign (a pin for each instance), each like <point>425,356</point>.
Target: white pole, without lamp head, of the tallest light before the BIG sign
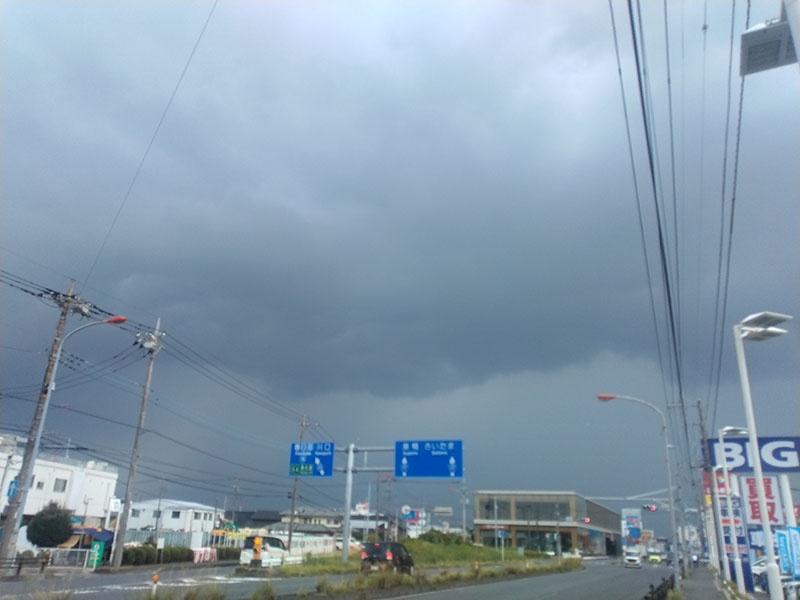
<point>773,574</point>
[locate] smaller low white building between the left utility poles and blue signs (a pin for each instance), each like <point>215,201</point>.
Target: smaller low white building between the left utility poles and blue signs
<point>176,515</point>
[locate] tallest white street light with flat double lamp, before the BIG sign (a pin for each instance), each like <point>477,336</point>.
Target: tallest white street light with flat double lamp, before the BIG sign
<point>759,327</point>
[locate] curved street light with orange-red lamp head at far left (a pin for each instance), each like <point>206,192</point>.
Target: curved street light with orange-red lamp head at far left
<point>8,540</point>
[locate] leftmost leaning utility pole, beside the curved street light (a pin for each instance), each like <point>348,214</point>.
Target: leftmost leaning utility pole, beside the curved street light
<point>16,507</point>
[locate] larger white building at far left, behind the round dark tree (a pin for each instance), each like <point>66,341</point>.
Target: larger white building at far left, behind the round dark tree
<point>84,488</point>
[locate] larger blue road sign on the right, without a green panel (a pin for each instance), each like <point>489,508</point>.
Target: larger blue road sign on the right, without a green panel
<point>428,458</point>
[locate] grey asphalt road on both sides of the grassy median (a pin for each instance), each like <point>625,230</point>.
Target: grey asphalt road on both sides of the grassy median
<point>601,580</point>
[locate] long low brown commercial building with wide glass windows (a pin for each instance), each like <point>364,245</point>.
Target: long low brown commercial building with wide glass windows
<point>545,521</point>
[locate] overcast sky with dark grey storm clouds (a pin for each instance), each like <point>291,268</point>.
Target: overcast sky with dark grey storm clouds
<point>406,220</point>
